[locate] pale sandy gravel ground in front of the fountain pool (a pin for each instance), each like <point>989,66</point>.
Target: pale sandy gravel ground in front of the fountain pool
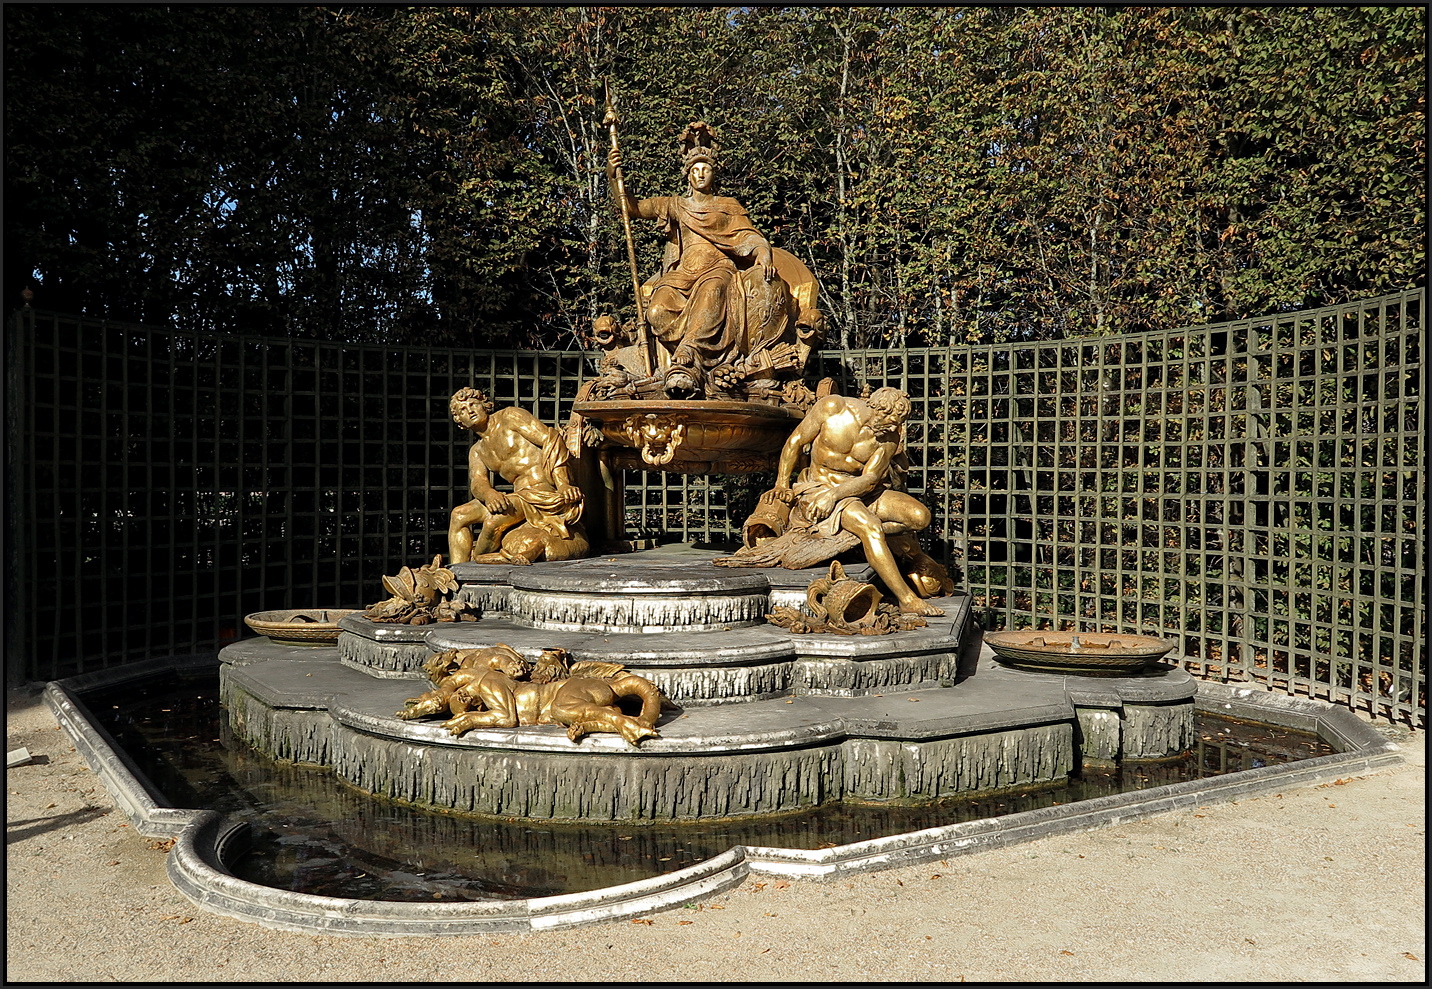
<point>1317,884</point>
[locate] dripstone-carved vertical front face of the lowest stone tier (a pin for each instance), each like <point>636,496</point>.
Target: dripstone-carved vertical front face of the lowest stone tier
<point>725,781</point>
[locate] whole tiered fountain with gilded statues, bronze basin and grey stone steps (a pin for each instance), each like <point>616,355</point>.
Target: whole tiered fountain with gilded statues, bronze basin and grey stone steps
<point>574,679</point>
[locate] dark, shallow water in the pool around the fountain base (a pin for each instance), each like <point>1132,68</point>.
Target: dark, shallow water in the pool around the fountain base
<point>317,835</point>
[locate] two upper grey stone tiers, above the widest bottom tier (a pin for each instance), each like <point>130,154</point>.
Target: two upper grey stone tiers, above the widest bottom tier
<point>669,615</point>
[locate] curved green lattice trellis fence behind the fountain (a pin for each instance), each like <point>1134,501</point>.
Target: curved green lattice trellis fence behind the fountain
<point>1255,490</point>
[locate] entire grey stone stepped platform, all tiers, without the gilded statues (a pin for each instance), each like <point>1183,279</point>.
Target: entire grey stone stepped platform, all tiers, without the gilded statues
<point>770,721</point>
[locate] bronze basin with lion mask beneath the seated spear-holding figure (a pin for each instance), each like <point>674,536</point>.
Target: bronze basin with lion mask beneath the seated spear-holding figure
<point>692,437</point>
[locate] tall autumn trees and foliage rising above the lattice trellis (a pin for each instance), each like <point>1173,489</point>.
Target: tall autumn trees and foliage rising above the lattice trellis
<point>406,174</point>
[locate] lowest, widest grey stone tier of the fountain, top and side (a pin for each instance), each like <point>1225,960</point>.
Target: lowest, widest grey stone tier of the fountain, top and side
<point>1000,729</point>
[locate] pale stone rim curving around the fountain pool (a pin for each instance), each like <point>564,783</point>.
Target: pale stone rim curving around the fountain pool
<point>205,839</point>
